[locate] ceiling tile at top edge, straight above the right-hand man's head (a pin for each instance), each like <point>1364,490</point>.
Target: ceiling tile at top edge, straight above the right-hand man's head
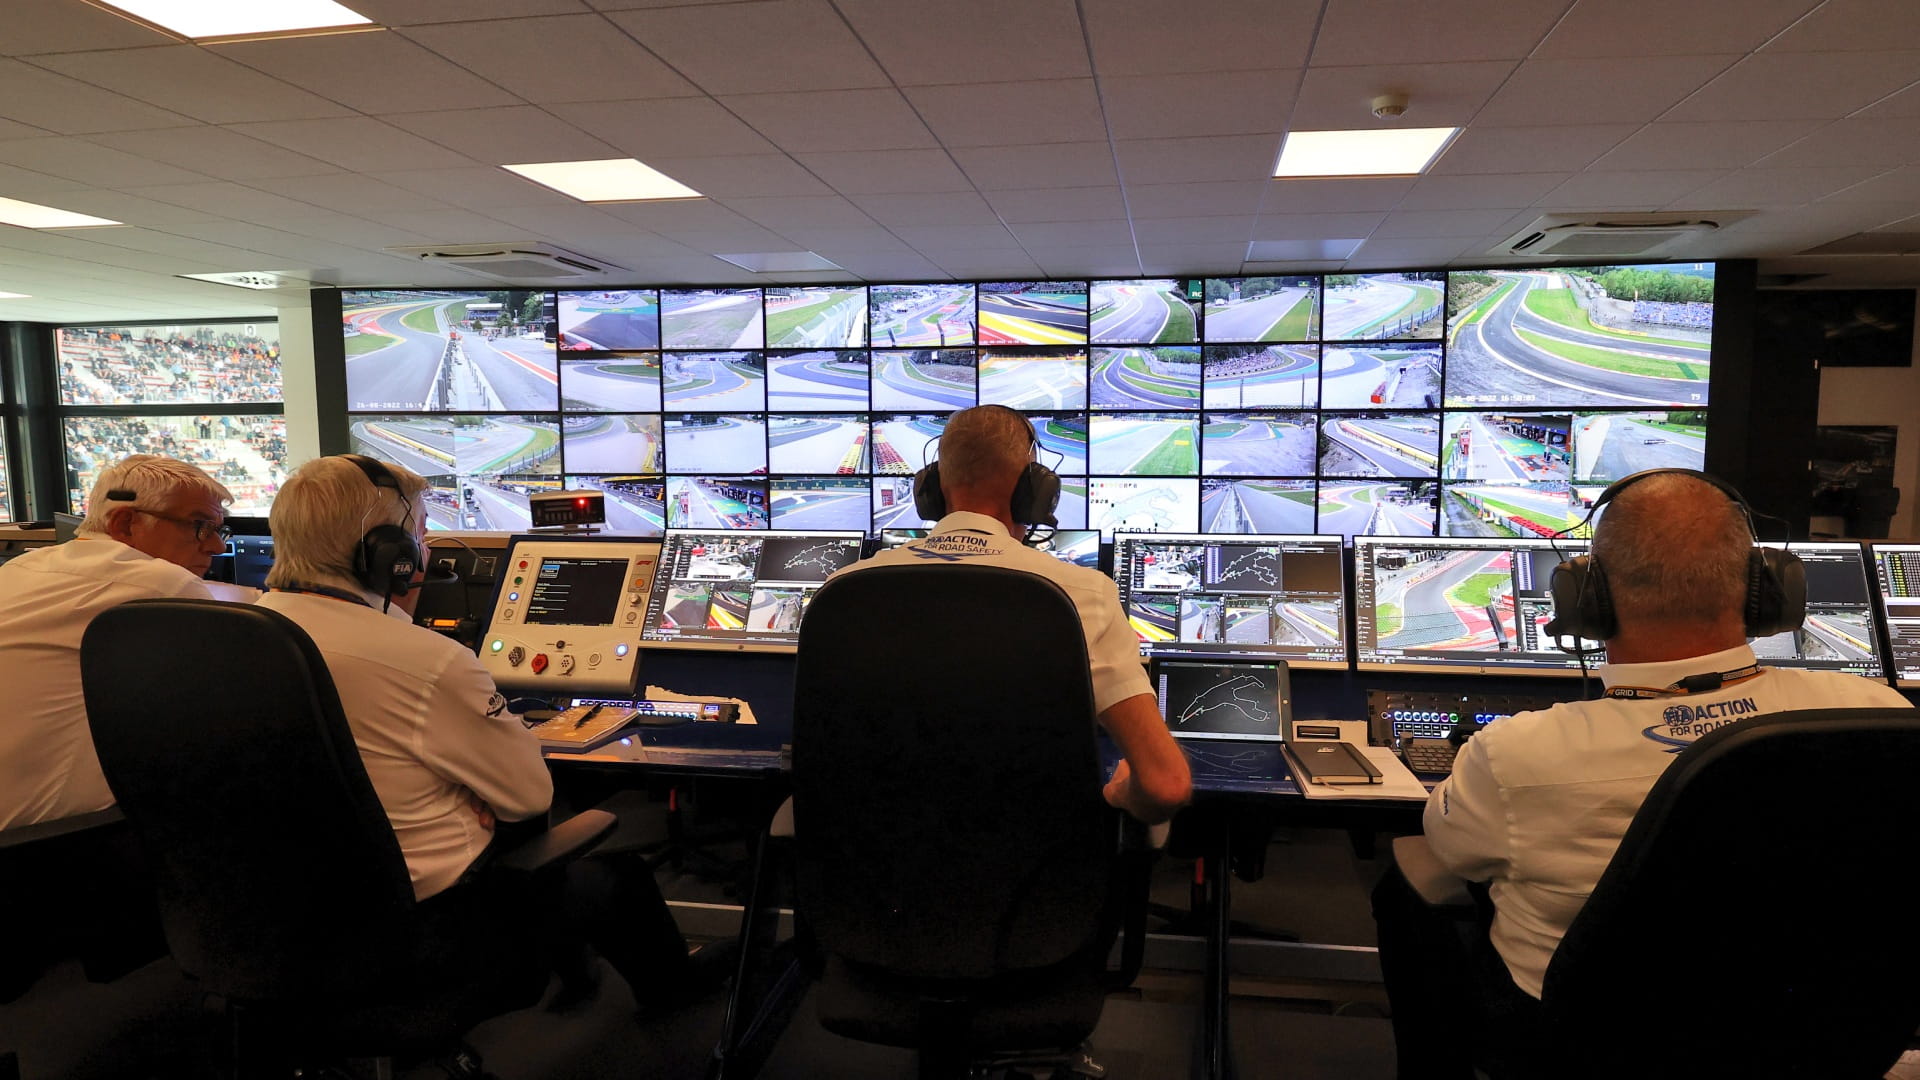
<point>1654,28</point>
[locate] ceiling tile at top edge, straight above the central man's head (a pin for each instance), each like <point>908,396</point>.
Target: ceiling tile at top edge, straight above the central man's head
<point>984,43</point>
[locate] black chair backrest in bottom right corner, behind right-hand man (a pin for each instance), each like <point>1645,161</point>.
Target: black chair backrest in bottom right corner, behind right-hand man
<point>1760,918</point>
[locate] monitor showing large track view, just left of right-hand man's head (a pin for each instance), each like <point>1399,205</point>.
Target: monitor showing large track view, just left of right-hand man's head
<point>1458,604</point>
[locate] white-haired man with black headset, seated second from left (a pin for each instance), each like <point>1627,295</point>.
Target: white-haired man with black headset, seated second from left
<point>441,749</point>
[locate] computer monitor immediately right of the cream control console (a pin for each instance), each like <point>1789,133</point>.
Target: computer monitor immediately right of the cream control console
<point>740,591</point>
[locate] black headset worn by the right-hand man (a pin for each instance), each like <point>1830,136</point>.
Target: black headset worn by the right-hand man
<point>1777,579</point>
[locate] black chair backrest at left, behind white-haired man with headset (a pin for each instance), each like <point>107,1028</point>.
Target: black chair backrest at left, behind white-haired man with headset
<point>224,741</point>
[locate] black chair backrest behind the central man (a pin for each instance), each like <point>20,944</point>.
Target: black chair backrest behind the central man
<point>946,773</point>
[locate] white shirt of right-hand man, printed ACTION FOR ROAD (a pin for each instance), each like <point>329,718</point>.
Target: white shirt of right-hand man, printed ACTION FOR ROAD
<point>1539,802</point>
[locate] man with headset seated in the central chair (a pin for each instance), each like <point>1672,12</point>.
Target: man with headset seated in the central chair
<point>986,491</point>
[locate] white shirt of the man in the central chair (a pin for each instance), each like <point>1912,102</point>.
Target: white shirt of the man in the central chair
<point>974,539</point>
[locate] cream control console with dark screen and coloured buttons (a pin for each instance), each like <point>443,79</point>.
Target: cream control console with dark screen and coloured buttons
<point>567,616</point>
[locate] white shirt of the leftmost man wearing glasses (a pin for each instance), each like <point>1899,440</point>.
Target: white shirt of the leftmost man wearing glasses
<point>49,768</point>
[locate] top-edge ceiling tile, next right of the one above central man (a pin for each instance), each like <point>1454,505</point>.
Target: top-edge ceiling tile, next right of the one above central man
<point>1151,37</point>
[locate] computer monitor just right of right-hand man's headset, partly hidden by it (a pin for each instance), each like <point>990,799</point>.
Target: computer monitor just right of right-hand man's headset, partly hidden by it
<point>1838,633</point>
